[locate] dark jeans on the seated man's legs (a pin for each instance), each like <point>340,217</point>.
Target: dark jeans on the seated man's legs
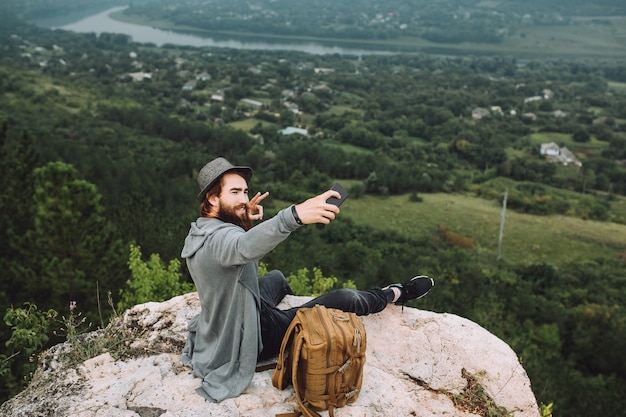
<point>274,322</point>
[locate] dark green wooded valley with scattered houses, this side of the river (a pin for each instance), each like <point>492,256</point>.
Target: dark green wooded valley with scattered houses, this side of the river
<point>101,139</point>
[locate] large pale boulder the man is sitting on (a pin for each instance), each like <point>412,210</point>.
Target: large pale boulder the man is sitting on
<point>419,363</point>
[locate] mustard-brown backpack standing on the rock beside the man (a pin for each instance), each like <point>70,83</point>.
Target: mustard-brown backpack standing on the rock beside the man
<point>322,354</point>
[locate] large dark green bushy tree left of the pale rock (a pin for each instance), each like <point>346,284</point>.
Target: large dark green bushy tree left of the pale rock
<point>73,253</point>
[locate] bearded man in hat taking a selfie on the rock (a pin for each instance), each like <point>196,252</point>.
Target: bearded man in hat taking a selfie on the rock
<point>239,322</point>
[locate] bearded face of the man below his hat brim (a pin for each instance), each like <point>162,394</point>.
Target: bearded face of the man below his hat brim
<point>232,202</point>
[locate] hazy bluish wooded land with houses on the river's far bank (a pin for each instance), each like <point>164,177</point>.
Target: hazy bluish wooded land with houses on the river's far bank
<point>444,21</point>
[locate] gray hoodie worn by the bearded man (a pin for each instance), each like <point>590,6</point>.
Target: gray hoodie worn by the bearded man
<point>224,340</point>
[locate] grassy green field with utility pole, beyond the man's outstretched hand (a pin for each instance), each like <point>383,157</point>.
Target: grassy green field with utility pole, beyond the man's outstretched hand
<point>526,238</point>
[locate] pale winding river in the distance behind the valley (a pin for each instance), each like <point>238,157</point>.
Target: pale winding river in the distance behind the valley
<point>103,22</point>
